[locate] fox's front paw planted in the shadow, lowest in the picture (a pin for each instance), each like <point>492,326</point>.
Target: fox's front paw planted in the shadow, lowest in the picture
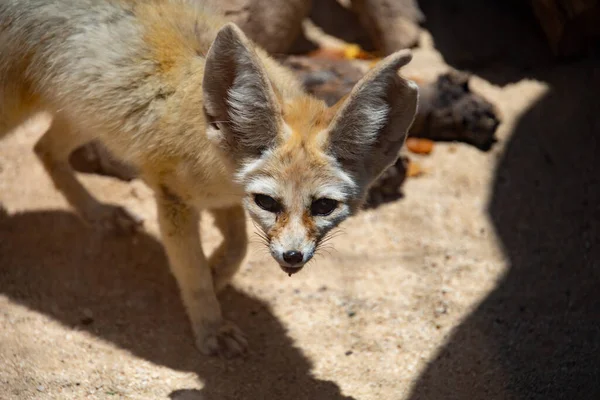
<point>227,340</point>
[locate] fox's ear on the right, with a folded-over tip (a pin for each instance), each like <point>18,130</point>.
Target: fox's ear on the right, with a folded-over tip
<point>371,124</point>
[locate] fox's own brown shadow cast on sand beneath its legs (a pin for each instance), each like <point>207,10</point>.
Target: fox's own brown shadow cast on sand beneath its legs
<point>120,290</point>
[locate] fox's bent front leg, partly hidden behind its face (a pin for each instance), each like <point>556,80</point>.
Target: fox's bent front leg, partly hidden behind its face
<point>229,256</point>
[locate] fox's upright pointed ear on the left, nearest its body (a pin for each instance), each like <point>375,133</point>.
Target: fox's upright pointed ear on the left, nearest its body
<point>239,101</point>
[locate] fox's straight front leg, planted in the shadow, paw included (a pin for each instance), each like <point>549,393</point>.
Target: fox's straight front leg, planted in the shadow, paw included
<point>180,234</point>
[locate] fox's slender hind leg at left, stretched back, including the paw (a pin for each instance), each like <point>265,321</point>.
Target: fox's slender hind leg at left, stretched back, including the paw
<point>53,149</point>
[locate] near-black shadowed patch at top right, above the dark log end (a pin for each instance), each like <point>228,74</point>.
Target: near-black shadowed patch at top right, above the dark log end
<point>500,40</point>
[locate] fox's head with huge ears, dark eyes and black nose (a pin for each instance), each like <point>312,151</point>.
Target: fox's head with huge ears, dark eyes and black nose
<point>305,167</point>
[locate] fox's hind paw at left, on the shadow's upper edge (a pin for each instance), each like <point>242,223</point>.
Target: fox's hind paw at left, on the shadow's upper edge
<point>114,219</point>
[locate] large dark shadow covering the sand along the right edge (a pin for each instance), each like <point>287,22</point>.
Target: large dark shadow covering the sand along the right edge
<point>537,335</point>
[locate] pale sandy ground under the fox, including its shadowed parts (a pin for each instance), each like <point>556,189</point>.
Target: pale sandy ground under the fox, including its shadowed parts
<point>482,283</point>
